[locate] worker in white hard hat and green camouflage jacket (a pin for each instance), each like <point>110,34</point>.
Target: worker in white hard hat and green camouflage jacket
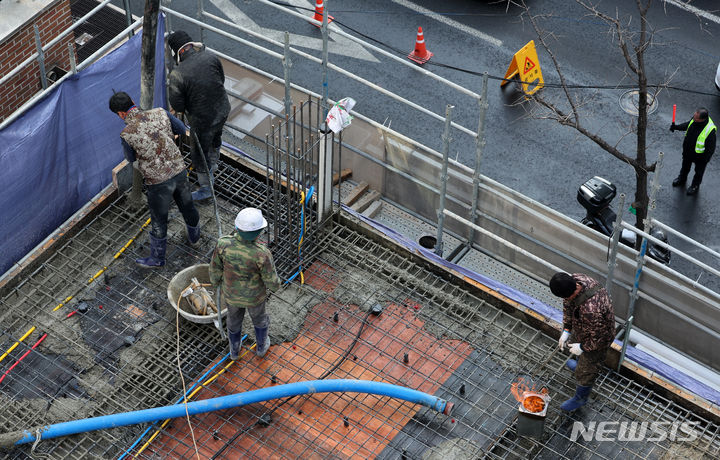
<point>244,268</point>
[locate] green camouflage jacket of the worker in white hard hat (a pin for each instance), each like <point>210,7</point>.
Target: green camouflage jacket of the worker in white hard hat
<point>245,269</point>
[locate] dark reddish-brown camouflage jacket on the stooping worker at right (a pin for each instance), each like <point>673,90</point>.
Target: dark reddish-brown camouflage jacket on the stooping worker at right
<point>592,323</point>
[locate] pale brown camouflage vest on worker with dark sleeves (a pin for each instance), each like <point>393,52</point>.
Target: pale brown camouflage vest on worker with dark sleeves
<point>150,135</point>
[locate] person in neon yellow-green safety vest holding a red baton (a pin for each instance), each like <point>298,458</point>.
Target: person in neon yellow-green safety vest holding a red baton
<point>698,147</point>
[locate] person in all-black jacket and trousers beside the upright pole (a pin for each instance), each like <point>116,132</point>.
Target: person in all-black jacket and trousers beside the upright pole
<point>197,89</point>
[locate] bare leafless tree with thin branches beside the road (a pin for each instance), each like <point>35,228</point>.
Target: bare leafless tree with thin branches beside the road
<point>632,44</point>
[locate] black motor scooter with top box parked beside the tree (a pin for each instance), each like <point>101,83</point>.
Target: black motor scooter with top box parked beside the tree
<point>595,195</point>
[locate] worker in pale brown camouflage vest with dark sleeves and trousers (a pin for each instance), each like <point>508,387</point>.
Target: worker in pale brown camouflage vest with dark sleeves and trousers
<point>148,140</point>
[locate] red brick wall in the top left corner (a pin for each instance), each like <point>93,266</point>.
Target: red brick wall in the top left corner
<point>20,45</point>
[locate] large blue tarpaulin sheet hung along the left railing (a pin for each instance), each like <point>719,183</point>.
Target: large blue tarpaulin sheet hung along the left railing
<point>60,153</point>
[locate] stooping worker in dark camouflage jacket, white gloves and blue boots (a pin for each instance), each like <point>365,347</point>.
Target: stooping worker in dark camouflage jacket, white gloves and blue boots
<point>589,319</point>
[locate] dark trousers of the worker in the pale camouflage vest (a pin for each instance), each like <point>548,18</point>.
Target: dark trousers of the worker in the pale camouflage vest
<point>159,196</point>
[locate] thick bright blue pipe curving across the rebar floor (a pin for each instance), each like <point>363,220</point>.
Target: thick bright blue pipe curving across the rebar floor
<point>228,402</point>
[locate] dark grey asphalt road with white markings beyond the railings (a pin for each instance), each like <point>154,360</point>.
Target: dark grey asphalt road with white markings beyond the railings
<point>537,157</point>
